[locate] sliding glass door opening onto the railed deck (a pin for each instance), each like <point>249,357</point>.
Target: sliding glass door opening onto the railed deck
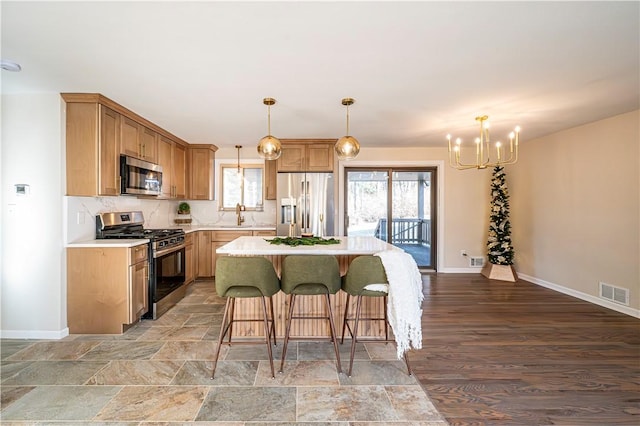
<point>396,205</point>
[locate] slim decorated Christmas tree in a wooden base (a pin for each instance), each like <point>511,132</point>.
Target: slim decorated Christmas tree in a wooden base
<point>499,248</point>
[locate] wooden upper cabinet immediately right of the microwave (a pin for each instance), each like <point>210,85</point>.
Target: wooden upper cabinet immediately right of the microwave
<point>172,158</point>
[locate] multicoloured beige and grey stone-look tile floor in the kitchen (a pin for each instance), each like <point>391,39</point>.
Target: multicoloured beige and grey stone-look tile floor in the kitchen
<point>158,372</point>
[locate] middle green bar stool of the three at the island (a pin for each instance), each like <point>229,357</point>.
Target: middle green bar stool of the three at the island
<point>306,276</point>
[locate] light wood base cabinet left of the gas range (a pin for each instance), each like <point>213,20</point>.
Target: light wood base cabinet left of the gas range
<point>107,288</point>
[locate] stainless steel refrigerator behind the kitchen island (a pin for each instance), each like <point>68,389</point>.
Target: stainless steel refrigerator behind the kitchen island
<point>306,204</point>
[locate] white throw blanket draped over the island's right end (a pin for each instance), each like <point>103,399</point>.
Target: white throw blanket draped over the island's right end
<point>404,301</point>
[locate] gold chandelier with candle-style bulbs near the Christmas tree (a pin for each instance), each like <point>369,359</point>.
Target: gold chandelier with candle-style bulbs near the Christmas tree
<point>483,154</point>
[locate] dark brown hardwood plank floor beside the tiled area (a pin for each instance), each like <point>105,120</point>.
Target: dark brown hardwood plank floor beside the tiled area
<point>500,353</point>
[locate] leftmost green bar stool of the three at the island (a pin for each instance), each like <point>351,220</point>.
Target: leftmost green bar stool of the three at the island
<point>245,277</point>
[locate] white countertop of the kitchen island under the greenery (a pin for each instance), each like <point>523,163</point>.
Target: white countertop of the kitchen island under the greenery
<point>348,246</point>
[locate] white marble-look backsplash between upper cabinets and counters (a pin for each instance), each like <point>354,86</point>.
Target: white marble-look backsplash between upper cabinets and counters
<point>81,213</point>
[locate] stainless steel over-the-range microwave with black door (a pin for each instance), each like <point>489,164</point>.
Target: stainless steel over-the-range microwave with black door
<point>138,177</point>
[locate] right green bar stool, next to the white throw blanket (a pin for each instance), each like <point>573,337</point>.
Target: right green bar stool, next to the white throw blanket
<point>365,271</point>
